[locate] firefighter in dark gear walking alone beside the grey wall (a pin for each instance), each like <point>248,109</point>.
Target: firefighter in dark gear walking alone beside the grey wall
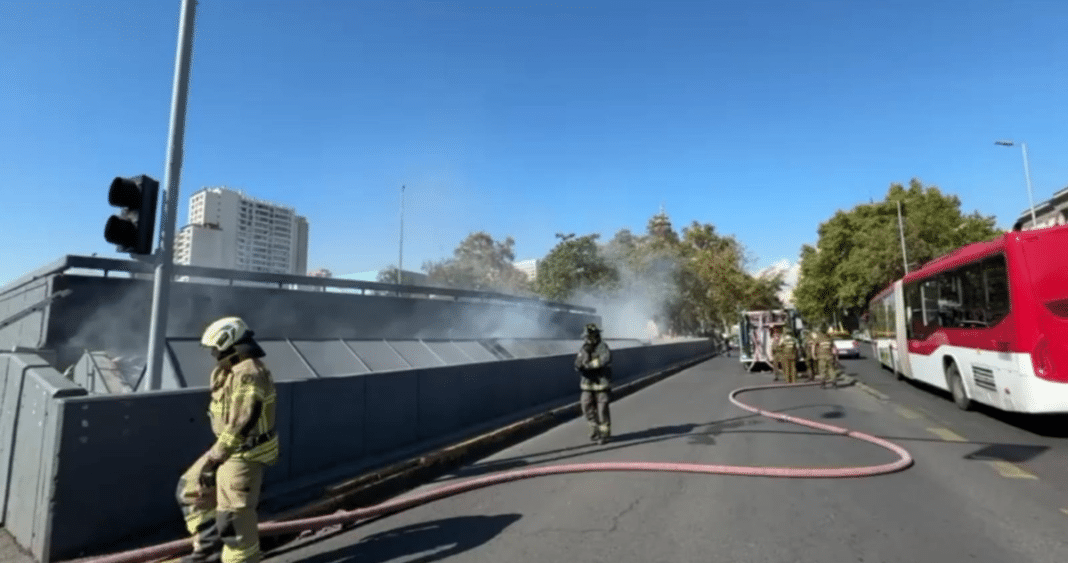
<point>594,364</point>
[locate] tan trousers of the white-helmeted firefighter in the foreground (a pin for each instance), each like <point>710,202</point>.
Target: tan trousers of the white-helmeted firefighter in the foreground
<point>224,519</point>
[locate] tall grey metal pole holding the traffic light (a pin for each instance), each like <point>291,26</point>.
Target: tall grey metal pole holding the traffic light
<point>165,267</point>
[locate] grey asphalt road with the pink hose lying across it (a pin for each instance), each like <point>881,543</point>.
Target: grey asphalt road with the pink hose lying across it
<point>949,507</point>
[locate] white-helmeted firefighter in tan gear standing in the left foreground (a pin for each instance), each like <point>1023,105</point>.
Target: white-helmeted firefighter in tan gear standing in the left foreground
<point>221,492</point>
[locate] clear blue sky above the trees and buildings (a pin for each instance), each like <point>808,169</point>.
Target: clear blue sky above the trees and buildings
<point>527,119</point>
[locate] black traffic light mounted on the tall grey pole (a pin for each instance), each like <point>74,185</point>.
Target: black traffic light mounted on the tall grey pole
<point>133,230</point>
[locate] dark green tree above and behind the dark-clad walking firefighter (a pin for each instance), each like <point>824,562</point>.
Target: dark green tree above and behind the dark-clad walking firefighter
<point>574,264</point>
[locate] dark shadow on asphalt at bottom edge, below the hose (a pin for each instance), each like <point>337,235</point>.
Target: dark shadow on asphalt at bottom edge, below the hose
<point>421,543</point>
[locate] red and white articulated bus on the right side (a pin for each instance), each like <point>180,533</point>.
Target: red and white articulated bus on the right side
<point>988,323</point>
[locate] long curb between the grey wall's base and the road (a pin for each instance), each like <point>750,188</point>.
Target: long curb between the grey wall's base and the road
<point>380,486</point>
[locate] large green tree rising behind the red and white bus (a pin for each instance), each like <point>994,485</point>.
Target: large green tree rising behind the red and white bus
<point>859,253</point>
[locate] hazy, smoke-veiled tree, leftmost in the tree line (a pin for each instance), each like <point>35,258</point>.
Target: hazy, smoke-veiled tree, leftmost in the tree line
<point>480,263</point>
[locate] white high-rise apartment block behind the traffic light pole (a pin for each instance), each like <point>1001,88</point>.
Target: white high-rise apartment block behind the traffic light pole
<point>231,230</point>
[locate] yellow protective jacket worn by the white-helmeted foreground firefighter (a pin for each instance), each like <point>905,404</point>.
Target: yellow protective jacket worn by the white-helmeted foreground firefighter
<point>243,413</point>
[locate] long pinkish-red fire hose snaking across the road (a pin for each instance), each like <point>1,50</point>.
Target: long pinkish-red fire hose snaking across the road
<point>403,504</point>
